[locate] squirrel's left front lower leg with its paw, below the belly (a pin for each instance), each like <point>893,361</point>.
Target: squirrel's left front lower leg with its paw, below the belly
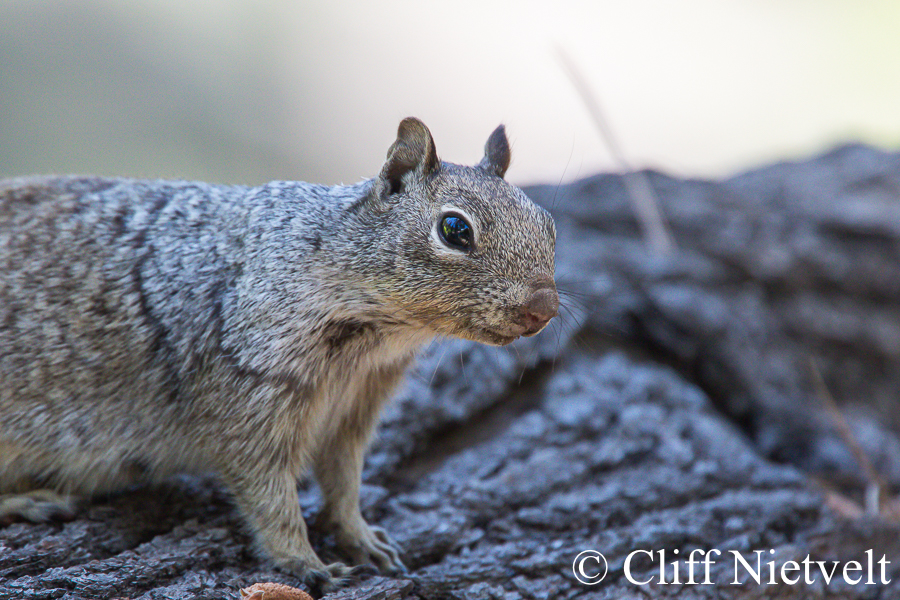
<point>269,503</point>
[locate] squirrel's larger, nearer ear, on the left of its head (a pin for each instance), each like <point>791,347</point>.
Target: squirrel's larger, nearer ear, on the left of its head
<point>412,157</point>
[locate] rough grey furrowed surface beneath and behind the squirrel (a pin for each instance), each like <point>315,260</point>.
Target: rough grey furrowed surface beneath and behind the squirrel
<point>672,407</point>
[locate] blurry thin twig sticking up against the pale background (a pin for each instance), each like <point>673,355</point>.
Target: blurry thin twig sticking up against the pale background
<point>640,191</point>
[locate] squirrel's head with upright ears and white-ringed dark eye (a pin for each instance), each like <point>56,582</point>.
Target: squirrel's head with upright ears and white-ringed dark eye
<point>469,254</point>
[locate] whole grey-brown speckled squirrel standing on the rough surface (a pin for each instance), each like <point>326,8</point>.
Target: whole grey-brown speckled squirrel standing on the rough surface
<point>154,327</point>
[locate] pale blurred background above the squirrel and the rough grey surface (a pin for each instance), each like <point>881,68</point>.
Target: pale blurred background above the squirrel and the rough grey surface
<point>245,91</point>
